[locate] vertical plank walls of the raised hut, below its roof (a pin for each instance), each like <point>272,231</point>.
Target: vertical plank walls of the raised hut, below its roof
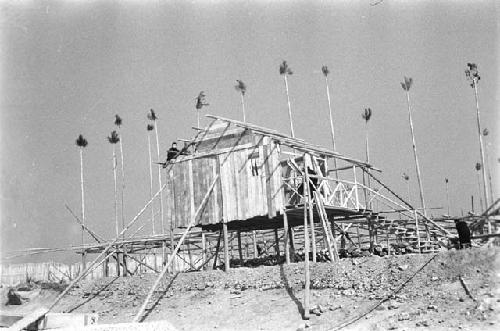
<point>250,183</point>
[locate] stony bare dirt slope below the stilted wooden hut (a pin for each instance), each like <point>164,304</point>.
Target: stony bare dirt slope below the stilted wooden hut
<point>367,293</point>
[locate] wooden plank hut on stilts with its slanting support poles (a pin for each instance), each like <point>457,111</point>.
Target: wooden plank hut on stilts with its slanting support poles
<point>239,181</point>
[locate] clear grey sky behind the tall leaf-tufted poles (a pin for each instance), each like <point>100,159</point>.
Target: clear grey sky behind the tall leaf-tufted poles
<point>67,67</point>
